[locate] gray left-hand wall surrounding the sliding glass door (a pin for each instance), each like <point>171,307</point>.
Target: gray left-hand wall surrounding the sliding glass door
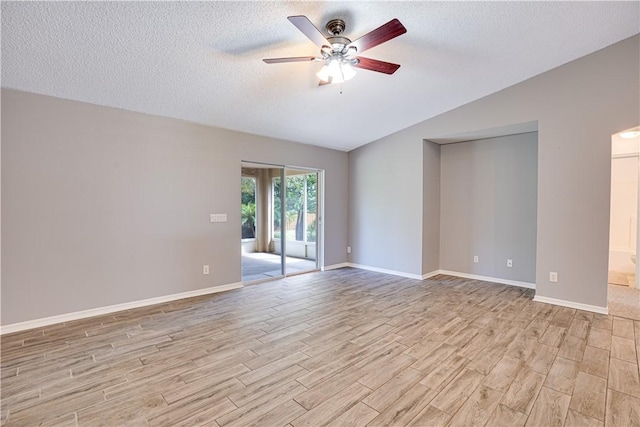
<point>103,206</point>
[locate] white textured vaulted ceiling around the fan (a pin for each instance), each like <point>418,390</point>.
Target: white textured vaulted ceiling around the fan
<point>202,61</point>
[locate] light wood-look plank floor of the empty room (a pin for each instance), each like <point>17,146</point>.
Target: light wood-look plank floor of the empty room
<point>344,347</point>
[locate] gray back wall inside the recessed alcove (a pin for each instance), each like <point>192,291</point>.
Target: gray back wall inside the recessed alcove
<point>488,207</point>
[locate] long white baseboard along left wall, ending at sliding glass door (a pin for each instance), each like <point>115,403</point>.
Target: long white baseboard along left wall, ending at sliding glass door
<point>61,318</point>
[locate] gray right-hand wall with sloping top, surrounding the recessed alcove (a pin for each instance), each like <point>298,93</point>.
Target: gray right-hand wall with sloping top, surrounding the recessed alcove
<point>578,107</point>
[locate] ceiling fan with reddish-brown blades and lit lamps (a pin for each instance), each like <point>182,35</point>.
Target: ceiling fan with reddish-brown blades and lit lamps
<point>339,53</point>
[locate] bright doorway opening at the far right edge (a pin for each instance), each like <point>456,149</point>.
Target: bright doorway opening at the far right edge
<point>623,275</point>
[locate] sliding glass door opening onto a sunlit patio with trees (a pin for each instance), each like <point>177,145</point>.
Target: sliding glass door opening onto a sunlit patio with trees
<point>281,221</point>
